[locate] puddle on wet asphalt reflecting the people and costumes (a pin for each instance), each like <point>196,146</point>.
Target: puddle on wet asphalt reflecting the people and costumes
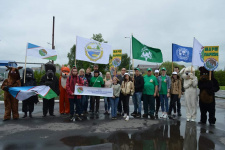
<point>156,137</point>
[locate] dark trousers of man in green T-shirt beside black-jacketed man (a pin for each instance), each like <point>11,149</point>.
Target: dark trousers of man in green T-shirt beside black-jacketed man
<point>149,104</point>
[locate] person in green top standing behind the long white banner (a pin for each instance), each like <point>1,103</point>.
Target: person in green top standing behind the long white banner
<point>96,81</point>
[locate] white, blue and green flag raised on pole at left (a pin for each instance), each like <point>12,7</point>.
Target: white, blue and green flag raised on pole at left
<point>41,52</point>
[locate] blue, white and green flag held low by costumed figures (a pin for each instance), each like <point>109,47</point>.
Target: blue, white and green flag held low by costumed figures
<point>24,92</point>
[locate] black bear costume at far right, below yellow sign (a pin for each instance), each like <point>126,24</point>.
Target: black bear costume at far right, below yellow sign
<point>207,96</point>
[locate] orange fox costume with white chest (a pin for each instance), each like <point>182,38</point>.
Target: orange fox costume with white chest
<point>64,104</point>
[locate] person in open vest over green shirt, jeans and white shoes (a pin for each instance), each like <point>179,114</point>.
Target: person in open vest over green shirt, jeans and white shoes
<point>164,92</point>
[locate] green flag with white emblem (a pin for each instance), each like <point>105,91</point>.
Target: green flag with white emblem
<point>145,53</point>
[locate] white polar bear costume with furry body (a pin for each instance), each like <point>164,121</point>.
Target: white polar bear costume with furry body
<point>190,95</point>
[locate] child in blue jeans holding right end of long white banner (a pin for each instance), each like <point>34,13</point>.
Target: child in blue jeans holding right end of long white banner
<point>115,99</point>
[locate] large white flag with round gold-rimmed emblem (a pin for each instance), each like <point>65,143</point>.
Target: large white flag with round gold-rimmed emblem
<point>92,51</point>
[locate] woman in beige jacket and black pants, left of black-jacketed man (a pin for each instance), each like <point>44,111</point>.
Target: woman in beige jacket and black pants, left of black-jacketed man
<point>127,89</point>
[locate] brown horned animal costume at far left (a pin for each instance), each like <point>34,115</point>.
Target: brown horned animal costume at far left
<point>11,104</point>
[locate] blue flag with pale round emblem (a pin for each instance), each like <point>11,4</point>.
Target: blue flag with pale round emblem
<point>181,53</point>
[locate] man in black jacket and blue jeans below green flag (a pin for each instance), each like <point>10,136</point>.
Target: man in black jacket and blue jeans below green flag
<point>139,86</point>
